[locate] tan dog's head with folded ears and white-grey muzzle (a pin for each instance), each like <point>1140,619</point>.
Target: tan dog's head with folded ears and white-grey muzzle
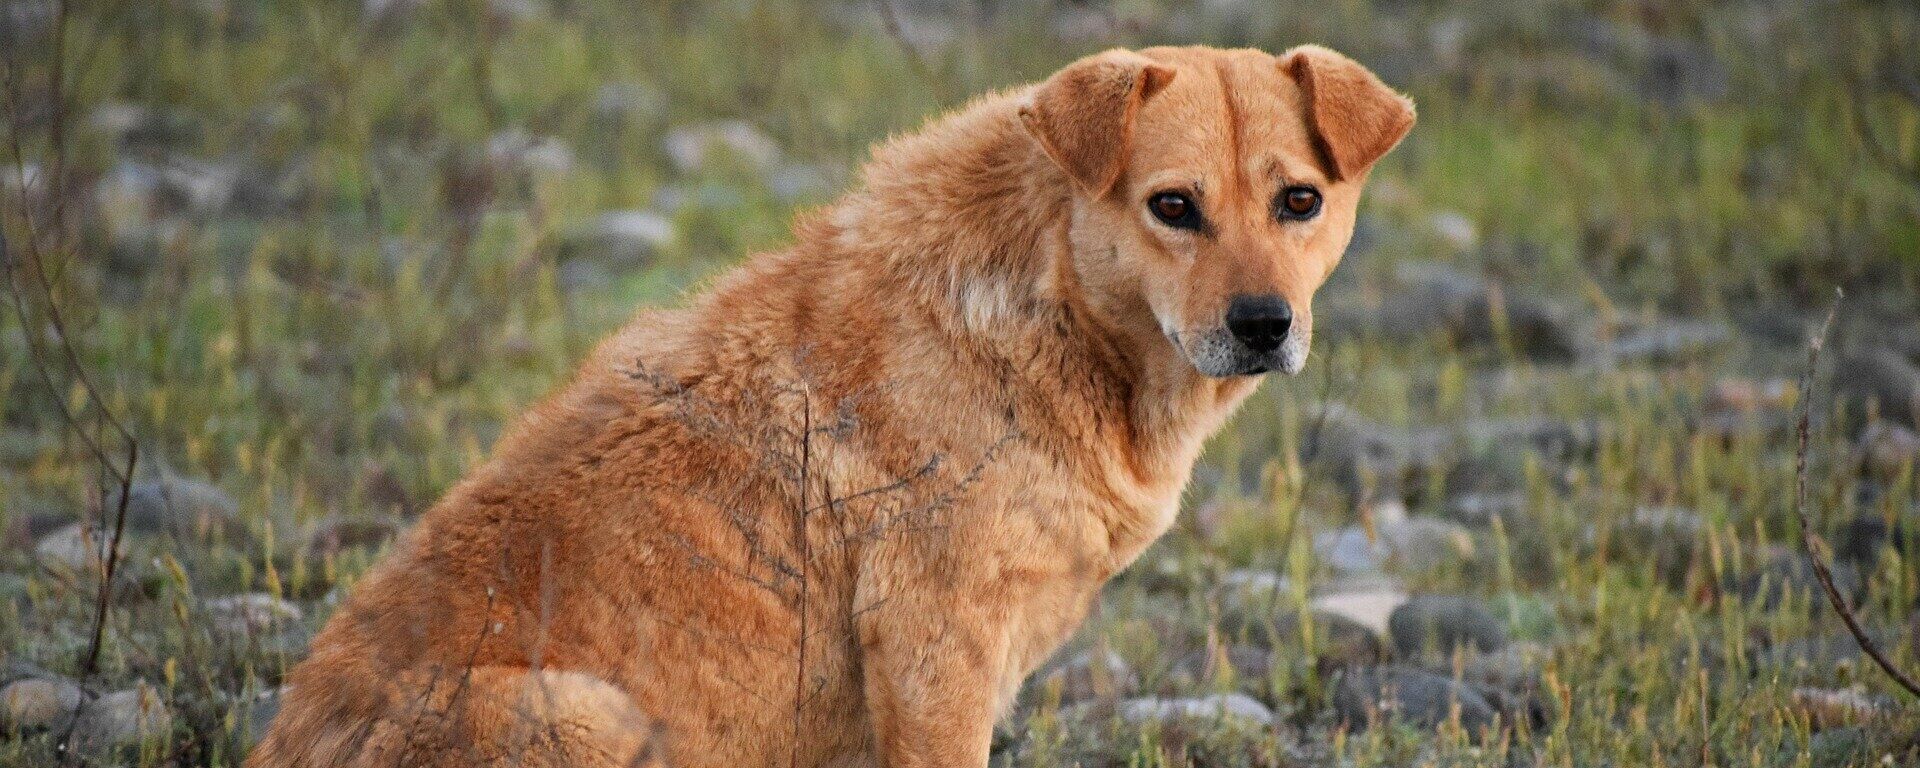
<point>1214,189</point>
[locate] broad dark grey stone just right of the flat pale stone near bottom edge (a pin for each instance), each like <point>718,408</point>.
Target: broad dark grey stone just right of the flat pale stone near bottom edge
<point>1403,694</point>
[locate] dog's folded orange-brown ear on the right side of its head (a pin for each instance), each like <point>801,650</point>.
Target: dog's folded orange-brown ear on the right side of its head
<point>1355,116</point>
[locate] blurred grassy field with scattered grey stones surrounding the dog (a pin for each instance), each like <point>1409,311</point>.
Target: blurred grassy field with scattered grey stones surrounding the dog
<point>1531,502</point>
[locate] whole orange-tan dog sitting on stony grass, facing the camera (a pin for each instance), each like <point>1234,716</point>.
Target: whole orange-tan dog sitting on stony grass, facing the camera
<point>836,510</point>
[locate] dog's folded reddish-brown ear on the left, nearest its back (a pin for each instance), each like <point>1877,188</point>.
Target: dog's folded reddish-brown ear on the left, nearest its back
<point>1084,114</point>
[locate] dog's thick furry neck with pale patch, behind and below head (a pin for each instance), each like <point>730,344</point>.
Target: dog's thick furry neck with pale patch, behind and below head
<point>980,226</point>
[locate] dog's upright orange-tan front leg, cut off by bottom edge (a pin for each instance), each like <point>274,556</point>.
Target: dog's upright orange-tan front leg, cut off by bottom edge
<point>932,652</point>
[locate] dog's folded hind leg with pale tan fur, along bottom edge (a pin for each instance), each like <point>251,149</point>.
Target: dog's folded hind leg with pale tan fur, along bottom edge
<point>483,717</point>
